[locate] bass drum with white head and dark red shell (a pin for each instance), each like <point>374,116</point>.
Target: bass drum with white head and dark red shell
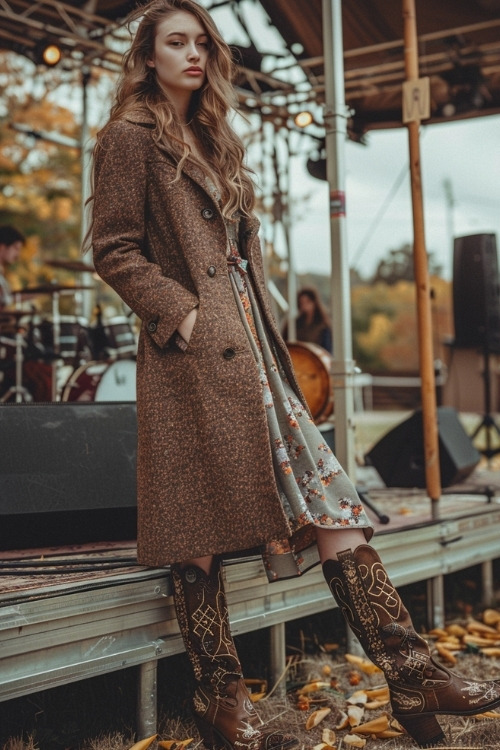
<point>102,381</point>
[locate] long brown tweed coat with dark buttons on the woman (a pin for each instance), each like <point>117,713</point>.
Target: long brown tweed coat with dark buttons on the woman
<point>205,480</point>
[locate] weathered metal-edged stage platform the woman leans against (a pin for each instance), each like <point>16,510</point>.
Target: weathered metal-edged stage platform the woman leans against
<point>71,613</point>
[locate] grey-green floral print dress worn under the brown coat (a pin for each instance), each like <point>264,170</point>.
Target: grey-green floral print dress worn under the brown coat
<point>314,489</point>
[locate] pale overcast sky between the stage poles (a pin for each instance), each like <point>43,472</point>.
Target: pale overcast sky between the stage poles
<point>466,153</point>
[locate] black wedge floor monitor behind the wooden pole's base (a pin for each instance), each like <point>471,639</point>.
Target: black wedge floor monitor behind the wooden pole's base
<point>399,455</point>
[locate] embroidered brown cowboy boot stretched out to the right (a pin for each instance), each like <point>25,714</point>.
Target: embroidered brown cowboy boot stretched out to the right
<point>419,687</point>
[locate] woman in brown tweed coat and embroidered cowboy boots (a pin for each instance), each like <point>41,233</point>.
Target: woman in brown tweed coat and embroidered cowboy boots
<point>228,456</point>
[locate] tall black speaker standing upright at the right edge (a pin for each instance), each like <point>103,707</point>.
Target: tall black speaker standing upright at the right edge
<point>476,291</point>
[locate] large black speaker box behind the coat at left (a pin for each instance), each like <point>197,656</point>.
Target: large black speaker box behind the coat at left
<point>67,473</point>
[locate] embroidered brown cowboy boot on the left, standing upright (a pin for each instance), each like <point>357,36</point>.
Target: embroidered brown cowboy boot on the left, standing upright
<point>223,711</point>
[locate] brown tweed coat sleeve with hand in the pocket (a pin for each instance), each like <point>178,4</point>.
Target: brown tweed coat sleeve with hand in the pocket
<point>119,233</point>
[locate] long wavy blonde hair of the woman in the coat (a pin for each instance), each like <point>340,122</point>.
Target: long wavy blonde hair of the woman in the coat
<point>210,106</point>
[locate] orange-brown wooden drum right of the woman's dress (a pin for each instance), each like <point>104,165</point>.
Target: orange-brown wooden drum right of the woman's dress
<point>312,365</point>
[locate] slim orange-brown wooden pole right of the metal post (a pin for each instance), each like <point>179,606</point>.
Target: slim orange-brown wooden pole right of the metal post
<point>424,317</point>
